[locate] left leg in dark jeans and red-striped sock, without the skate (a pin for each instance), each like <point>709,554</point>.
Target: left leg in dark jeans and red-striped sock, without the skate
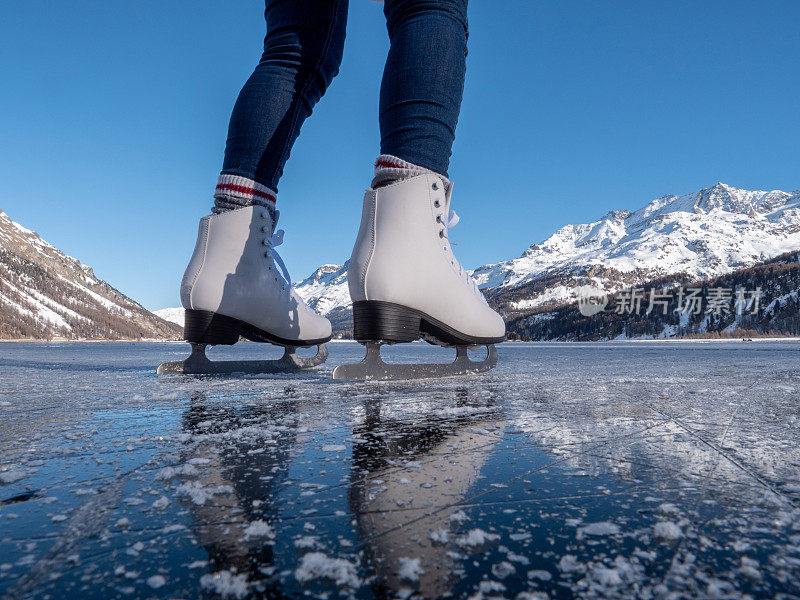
<point>302,52</point>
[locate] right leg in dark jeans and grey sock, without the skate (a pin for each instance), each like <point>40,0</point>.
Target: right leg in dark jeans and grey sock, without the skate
<point>423,83</point>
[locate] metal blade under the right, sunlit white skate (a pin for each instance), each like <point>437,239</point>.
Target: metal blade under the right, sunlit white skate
<point>372,368</point>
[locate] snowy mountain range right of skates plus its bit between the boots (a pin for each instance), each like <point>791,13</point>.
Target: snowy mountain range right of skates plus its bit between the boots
<point>700,235</point>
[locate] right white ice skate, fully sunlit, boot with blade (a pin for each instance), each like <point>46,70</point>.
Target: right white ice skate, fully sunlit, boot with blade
<point>406,284</point>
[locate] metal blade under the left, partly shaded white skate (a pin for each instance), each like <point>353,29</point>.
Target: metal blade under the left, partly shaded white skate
<point>199,364</point>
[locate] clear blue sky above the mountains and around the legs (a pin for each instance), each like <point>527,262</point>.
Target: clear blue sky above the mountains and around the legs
<point>113,118</point>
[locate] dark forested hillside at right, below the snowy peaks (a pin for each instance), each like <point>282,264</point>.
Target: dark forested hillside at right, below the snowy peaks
<point>761,300</point>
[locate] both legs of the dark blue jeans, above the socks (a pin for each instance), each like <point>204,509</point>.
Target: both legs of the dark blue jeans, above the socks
<point>420,98</point>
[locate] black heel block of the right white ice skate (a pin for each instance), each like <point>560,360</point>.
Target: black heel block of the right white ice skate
<point>375,320</point>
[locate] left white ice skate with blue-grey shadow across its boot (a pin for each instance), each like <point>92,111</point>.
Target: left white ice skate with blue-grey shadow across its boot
<point>233,289</point>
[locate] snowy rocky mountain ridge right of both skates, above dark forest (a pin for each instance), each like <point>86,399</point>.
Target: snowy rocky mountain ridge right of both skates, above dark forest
<point>622,239</point>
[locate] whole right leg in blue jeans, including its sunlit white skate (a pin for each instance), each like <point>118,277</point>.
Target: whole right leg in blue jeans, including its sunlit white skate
<point>403,278</point>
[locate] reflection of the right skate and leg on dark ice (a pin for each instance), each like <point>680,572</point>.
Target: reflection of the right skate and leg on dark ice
<point>409,477</point>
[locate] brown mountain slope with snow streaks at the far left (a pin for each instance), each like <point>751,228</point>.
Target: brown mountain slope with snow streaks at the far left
<point>44,293</point>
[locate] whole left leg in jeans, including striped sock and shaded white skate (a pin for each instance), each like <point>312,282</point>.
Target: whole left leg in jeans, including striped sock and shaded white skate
<point>236,284</point>
